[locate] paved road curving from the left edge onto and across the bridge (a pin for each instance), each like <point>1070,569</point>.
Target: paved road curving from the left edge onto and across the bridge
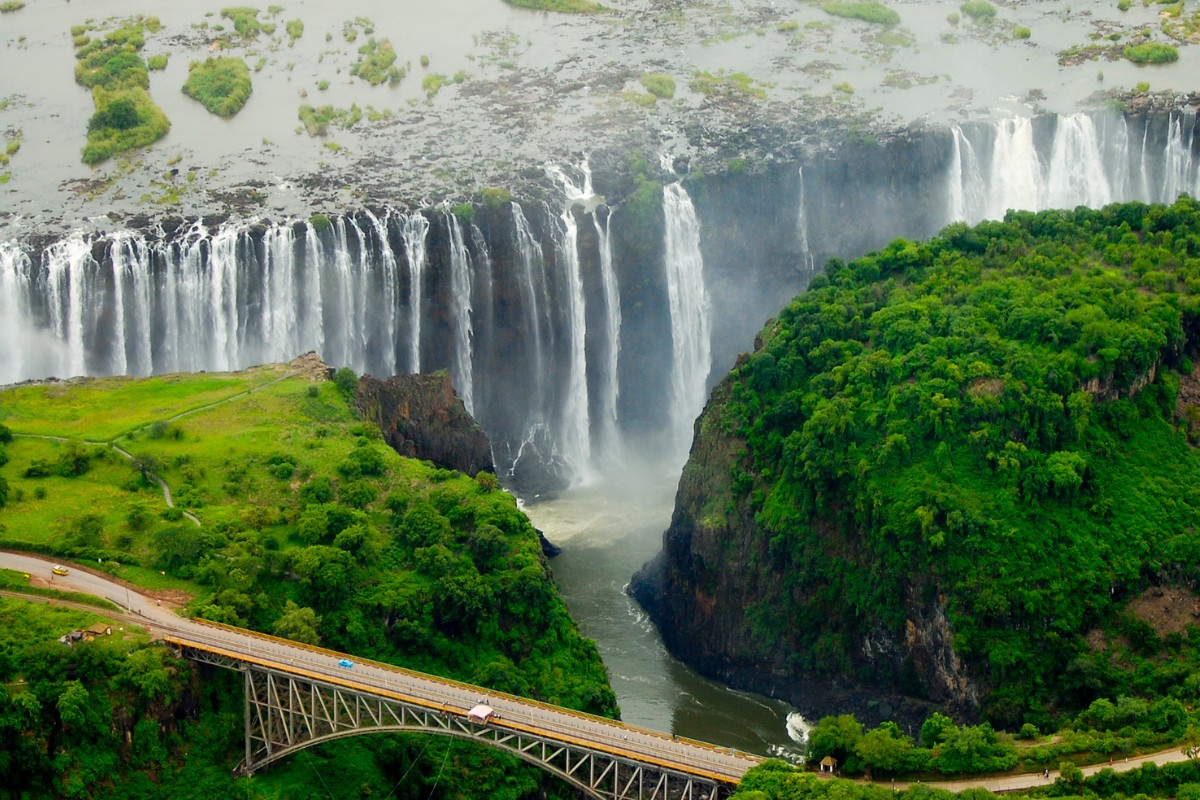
<point>687,756</point>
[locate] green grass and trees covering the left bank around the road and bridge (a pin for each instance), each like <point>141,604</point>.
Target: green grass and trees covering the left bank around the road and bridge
<point>310,528</point>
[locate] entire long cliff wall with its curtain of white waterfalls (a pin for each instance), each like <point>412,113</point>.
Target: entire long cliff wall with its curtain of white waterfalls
<point>573,327</point>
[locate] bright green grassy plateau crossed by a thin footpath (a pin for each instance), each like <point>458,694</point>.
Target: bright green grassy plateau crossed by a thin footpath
<point>235,449</point>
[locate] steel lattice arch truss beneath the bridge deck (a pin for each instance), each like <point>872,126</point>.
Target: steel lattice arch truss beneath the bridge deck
<point>287,712</point>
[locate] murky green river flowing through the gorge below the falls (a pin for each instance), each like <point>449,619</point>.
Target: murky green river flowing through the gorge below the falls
<point>608,531</point>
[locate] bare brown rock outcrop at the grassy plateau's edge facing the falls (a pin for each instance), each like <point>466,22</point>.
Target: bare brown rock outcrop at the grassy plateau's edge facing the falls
<point>423,418</point>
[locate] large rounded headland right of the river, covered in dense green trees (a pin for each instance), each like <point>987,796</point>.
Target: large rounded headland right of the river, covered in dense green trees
<point>963,471</point>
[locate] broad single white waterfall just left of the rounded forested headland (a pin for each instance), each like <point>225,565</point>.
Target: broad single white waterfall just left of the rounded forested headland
<point>691,314</point>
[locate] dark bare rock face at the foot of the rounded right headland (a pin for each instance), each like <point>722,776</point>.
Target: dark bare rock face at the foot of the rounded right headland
<point>713,592</point>
